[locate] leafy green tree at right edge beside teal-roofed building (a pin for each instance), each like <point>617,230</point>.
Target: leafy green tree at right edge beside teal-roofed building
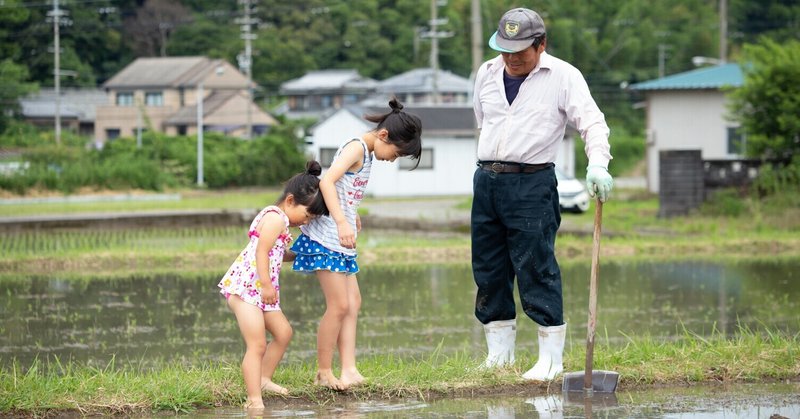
<point>768,103</point>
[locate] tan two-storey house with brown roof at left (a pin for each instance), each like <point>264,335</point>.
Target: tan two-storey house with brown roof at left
<point>161,93</point>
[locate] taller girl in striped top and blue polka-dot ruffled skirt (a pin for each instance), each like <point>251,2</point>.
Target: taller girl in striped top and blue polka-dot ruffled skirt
<point>327,245</point>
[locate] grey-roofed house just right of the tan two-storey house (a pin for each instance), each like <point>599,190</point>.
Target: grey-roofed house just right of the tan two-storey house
<point>317,92</point>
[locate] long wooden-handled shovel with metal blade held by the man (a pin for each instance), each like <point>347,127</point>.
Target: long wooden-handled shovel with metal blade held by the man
<point>590,381</point>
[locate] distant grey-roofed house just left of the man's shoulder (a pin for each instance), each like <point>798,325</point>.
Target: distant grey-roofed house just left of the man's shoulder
<point>418,86</point>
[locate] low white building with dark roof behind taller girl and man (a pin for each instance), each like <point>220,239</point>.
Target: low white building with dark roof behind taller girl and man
<point>448,156</point>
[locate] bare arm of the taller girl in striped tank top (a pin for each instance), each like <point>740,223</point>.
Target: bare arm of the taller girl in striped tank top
<point>350,160</point>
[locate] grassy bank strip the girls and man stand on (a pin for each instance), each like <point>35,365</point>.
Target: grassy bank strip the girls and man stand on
<point>48,388</point>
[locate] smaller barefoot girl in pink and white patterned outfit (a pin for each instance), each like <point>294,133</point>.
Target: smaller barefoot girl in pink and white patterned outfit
<point>251,283</point>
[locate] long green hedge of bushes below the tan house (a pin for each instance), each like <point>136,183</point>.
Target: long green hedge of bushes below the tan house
<point>160,163</point>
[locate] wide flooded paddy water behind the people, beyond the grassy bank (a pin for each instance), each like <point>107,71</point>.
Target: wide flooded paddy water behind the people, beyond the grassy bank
<point>406,311</point>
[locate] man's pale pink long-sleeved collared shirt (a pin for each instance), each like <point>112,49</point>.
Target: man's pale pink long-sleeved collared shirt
<point>531,128</point>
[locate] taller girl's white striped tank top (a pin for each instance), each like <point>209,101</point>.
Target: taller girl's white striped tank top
<point>350,189</point>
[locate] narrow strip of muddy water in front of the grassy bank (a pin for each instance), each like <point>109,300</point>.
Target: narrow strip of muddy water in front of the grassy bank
<point>706,402</point>
